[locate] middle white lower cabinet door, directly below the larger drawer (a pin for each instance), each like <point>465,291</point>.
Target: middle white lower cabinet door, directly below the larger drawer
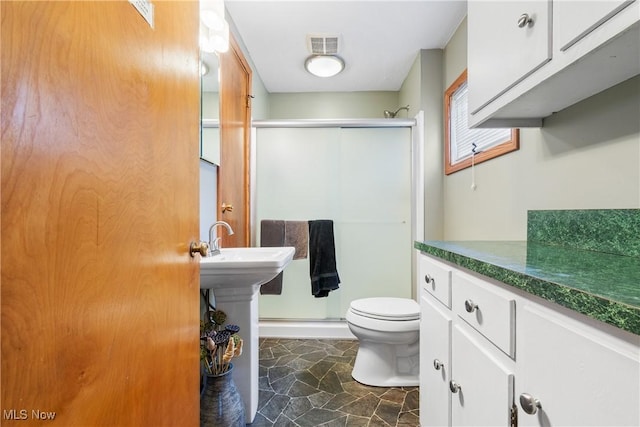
<point>485,396</point>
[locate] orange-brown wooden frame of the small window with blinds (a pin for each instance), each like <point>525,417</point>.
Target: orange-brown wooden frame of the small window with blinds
<point>509,145</point>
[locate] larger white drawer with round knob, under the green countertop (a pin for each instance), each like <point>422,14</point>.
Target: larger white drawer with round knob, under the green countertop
<point>487,309</point>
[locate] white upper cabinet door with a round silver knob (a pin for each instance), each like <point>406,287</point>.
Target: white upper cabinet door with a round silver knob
<point>500,53</point>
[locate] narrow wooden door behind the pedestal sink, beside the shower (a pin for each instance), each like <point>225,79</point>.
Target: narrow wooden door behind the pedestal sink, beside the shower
<point>235,128</point>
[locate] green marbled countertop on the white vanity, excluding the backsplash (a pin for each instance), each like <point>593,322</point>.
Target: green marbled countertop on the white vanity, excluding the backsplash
<point>600,285</point>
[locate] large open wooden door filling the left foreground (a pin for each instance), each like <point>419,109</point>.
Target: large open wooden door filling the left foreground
<point>100,298</point>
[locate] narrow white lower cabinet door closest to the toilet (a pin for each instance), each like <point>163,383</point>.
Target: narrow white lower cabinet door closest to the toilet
<point>435,363</point>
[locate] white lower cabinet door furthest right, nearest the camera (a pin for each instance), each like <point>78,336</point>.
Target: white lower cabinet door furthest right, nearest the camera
<point>580,378</point>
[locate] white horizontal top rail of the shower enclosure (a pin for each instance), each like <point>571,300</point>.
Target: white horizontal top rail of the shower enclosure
<point>334,123</point>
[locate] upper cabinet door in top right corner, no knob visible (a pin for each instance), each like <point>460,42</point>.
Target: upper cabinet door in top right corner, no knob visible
<point>573,20</point>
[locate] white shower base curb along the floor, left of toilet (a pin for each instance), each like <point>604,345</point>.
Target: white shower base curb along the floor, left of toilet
<point>331,329</point>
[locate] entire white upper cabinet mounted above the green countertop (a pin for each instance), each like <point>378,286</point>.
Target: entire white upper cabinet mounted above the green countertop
<point>529,59</point>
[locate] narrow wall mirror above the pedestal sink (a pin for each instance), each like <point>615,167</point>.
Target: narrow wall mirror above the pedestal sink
<point>210,128</point>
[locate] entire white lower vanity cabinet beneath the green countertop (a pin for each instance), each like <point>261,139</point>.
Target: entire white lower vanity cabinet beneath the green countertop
<point>498,356</point>
